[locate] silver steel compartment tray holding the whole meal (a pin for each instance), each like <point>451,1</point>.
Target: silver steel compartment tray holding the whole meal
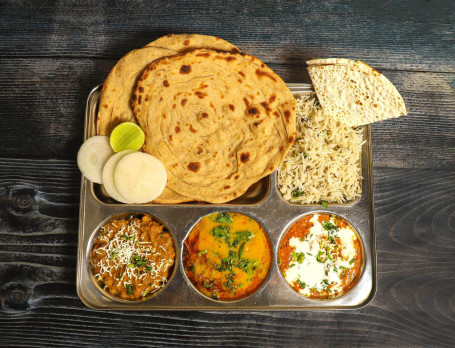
<point>263,203</point>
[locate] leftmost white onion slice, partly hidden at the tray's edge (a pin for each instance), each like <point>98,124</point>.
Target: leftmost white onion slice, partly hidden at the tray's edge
<point>92,156</point>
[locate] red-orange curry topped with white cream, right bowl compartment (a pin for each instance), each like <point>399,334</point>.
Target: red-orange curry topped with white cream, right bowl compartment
<point>320,256</point>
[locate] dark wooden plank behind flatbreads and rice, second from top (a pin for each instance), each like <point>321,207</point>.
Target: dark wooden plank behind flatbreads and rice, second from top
<point>48,96</point>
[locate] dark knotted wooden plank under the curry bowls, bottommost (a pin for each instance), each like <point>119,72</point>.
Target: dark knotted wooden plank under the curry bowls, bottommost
<point>412,307</point>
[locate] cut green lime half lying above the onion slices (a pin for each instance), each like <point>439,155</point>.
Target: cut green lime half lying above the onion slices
<point>127,136</point>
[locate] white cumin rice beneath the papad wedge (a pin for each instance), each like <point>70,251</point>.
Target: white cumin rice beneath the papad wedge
<point>323,164</point>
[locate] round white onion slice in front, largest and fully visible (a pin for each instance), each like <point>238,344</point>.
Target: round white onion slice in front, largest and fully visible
<point>140,177</point>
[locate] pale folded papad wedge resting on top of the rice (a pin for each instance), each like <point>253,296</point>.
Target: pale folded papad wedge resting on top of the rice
<point>353,92</point>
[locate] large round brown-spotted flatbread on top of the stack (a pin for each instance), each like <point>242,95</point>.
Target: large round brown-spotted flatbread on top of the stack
<point>219,121</point>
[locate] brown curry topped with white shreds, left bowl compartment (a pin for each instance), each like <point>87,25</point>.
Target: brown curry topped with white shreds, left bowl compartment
<point>132,258</point>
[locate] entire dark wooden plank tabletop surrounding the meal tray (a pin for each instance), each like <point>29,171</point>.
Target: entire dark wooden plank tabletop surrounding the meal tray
<point>52,53</point>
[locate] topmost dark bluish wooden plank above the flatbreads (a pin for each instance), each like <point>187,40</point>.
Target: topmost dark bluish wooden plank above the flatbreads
<point>404,35</point>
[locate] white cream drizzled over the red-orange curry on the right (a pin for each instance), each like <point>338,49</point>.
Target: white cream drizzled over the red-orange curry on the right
<point>317,271</point>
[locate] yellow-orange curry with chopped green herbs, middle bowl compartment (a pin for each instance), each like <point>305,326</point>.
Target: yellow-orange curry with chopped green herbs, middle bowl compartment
<point>227,256</point>
